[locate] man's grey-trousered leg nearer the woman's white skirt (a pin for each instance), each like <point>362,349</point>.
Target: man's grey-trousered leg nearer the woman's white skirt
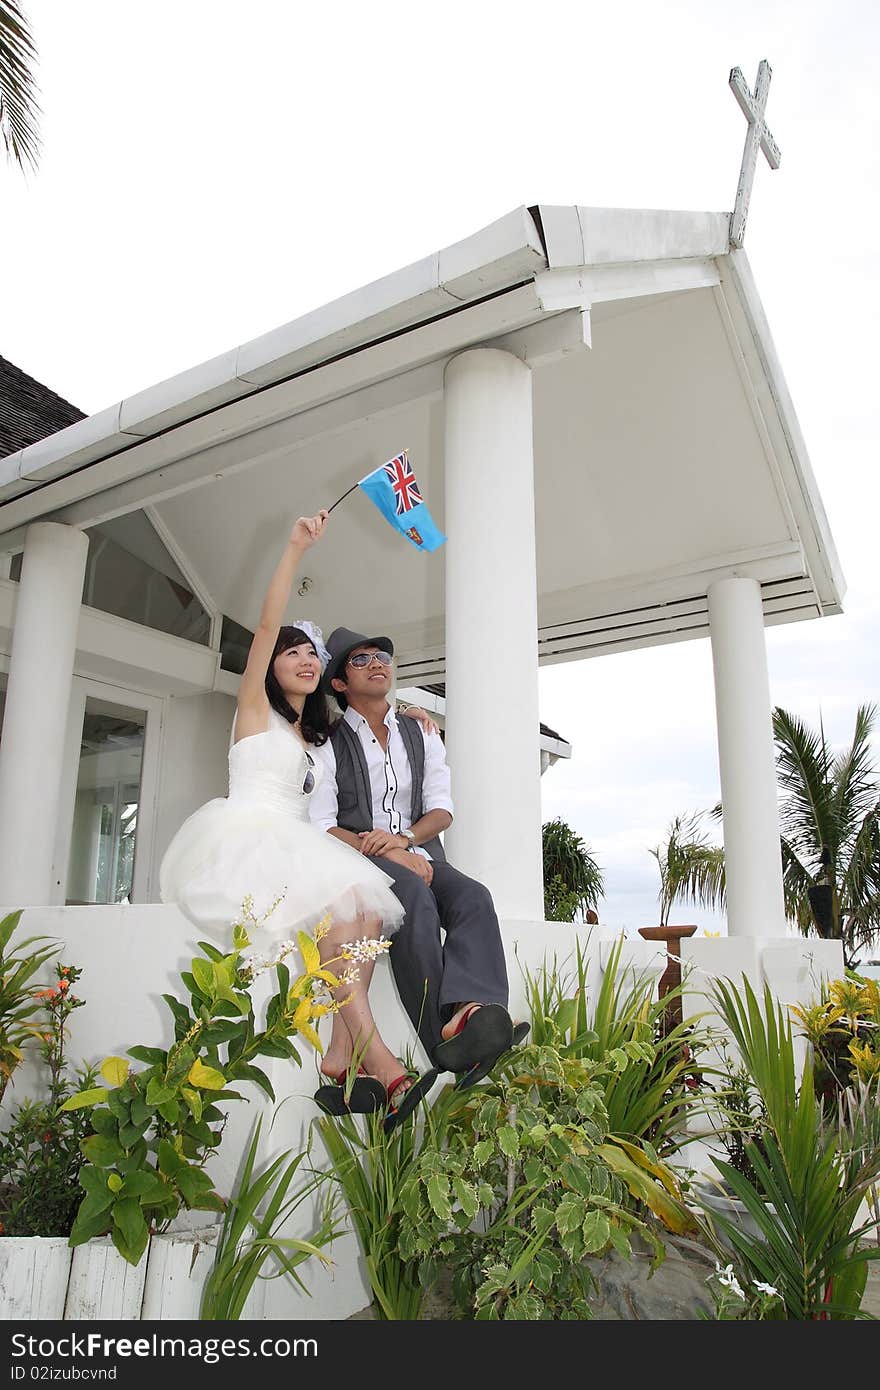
<point>416,953</point>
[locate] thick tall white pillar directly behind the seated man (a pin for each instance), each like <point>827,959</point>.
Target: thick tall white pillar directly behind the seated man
<point>493,726</point>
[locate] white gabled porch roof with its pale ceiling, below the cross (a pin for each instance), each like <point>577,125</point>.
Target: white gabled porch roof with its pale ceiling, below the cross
<point>667,455</point>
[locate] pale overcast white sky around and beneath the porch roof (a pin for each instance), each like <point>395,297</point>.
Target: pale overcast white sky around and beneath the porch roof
<point>211,172</point>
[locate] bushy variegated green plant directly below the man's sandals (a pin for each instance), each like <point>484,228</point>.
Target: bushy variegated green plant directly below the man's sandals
<point>521,1182</point>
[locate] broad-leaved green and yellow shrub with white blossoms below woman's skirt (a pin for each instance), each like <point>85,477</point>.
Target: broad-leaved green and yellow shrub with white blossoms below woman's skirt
<point>156,1129</point>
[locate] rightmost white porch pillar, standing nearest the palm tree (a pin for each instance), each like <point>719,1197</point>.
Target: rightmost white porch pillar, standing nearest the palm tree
<point>747,761</point>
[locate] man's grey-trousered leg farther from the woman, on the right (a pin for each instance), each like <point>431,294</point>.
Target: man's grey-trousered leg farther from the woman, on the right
<point>475,968</point>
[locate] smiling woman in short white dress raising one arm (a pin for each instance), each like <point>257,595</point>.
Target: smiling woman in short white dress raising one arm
<point>254,853</point>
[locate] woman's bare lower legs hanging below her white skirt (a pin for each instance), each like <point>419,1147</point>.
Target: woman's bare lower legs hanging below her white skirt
<point>355,1029</point>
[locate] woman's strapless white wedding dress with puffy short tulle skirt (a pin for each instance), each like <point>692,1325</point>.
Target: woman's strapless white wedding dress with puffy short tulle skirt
<point>258,842</point>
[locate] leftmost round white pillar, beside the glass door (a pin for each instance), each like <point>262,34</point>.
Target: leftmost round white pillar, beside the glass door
<point>35,722</point>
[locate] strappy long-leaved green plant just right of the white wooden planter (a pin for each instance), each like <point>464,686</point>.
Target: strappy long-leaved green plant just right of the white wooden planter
<point>250,1238</point>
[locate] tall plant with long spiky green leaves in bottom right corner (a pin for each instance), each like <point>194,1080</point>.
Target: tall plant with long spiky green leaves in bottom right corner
<point>813,1174</point>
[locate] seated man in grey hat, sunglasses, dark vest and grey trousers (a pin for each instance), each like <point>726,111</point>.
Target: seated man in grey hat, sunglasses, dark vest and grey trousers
<point>387,792</point>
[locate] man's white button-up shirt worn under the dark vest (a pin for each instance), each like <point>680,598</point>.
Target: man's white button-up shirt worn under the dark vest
<point>391,782</point>
